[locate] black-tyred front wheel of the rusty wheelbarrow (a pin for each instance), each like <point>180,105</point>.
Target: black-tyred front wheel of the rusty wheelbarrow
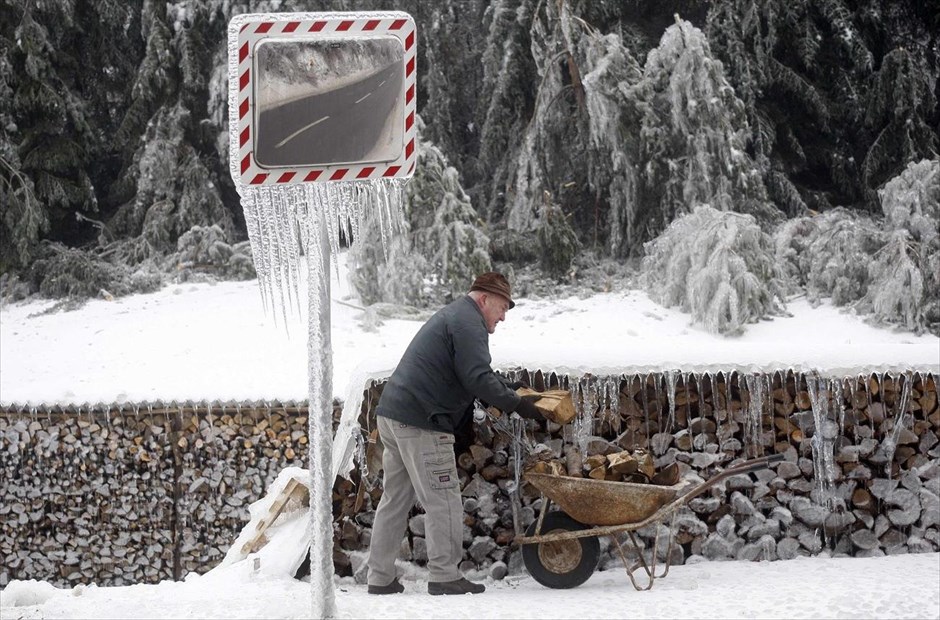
<point>561,564</point>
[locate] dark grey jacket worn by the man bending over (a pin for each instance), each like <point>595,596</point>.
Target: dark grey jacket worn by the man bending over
<point>444,368</point>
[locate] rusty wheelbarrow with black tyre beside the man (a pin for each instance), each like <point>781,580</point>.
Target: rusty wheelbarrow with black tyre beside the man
<point>560,548</point>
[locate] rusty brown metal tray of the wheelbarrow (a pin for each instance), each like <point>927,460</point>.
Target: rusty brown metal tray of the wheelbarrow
<point>605,502</point>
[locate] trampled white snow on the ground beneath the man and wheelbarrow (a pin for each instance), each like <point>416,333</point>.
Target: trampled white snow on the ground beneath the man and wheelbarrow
<point>887,587</point>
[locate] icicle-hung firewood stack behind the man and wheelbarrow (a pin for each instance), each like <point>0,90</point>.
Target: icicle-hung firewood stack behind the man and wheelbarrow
<point>861,474</point>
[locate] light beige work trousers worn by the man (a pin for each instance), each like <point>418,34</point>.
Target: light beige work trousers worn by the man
<point>419,464</point>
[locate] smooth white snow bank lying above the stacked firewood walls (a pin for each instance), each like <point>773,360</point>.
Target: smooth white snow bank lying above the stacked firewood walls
<point>216,342</point>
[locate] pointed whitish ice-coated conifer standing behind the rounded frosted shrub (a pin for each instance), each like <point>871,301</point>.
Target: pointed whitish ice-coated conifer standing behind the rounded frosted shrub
<point>694,135</point>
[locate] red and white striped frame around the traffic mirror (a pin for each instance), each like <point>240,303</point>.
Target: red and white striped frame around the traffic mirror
<point>245,31</point>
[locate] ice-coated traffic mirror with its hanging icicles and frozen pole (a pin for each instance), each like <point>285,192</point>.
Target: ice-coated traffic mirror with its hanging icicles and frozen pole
<point>321,132</point>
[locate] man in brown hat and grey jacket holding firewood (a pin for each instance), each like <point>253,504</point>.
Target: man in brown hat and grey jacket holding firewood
<point>427,398</point>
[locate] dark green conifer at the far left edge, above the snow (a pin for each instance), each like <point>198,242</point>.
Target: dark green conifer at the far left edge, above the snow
<point>48,143</point>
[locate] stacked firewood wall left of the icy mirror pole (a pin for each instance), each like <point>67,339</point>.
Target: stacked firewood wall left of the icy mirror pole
<point>123,495</point>
